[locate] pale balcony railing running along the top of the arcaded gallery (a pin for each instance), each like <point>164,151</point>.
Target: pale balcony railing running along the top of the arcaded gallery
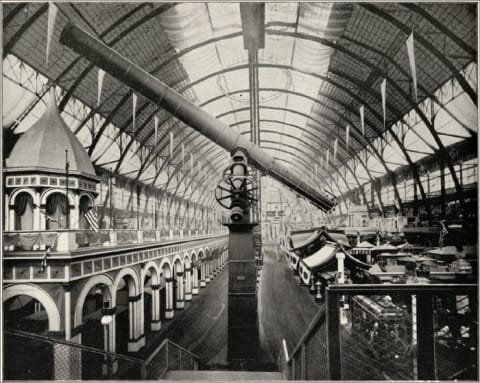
<point>67,240</point>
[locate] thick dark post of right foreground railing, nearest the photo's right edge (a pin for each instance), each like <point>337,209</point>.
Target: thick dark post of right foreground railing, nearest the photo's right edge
<point>425,337</point>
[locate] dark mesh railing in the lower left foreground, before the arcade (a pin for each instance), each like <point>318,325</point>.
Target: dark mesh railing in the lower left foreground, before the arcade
<point>31,356</point>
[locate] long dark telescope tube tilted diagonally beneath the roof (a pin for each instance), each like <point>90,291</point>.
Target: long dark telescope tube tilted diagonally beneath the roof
<point>162,95</point>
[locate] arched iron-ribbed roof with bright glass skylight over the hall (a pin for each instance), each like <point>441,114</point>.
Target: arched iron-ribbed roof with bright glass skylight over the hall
<point>320,63</point>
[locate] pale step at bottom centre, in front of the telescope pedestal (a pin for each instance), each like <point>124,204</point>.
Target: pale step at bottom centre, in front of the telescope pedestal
<point>208,375</point>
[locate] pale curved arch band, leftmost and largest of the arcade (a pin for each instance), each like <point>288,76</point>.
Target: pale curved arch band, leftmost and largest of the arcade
<point>54,322</point>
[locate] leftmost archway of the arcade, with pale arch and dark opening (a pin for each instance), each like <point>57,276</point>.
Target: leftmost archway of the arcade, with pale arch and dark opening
<point>28,309</point>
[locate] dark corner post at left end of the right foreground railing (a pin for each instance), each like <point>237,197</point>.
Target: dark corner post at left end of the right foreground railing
<point>333,336</point>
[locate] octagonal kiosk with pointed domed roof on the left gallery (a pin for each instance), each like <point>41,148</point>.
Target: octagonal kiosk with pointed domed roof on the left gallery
<point>44,159</point>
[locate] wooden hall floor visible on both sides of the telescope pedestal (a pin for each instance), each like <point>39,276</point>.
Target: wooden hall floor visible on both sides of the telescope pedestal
<point>285,309</point>
